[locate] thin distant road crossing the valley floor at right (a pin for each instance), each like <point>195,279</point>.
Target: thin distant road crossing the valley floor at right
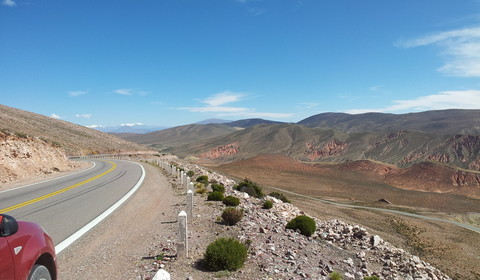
<point>463,225</point>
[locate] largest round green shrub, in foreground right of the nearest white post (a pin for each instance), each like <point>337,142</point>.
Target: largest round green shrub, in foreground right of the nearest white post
<point>225,254</point>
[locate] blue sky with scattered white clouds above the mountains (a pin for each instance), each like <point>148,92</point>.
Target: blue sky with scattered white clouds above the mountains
<point>174,62</point>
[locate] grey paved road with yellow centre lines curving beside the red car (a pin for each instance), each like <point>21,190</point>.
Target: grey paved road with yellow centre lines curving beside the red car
<point>64,205</point>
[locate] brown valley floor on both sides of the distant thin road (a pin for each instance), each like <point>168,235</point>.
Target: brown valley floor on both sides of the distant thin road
<point>450,248</point>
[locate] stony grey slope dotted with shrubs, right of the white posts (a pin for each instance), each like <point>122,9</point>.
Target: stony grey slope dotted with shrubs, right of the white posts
<point>279,253</point>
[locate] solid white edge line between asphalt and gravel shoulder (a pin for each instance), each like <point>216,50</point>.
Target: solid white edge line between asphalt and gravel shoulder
<point>72,238</point>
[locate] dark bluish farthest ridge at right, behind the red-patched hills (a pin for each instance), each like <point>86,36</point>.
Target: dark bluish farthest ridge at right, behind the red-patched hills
<point>438,122</point>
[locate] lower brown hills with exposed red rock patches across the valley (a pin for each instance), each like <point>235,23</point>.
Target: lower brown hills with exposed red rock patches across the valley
<point>401,148</point>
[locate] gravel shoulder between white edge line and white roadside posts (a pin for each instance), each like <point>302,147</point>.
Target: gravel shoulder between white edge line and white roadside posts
<point>113,248</point>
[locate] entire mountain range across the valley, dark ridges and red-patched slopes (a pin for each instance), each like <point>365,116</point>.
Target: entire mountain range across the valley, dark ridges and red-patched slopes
<point>449,137</point>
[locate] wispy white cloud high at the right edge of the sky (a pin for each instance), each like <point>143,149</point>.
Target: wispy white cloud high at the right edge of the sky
<point>461,49</point>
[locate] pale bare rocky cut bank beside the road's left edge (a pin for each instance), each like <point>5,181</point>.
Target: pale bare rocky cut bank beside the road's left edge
<point>22,157</point>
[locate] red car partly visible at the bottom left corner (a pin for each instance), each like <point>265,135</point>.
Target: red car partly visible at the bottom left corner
<point>26,251</point>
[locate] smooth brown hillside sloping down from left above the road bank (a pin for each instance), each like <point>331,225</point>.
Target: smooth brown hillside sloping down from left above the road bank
<point>73,139</point>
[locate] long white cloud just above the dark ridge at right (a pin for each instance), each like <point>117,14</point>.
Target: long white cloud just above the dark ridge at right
<point>467,99</point>
